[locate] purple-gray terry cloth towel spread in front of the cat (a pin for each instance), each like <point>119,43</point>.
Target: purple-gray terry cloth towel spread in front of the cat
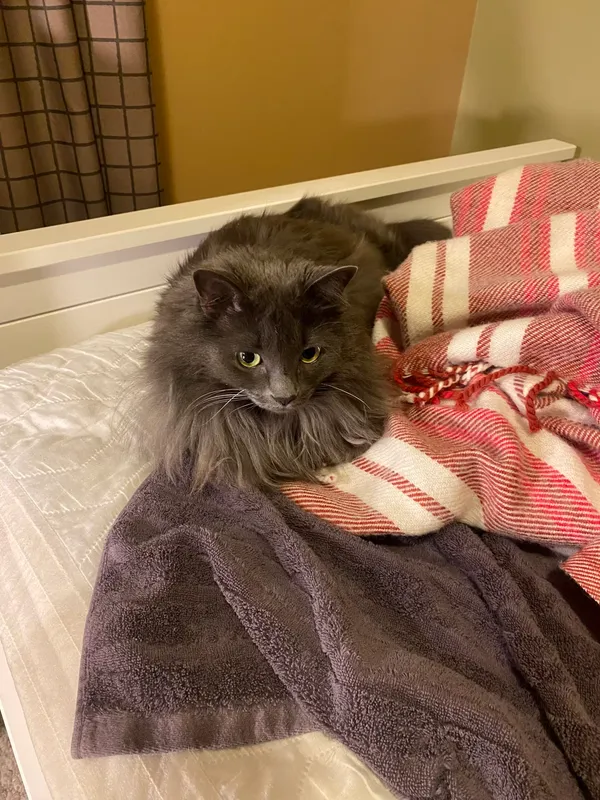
<point>450,664</point>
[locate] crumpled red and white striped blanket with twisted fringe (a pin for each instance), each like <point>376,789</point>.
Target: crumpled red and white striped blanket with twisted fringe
<point>494,343</point>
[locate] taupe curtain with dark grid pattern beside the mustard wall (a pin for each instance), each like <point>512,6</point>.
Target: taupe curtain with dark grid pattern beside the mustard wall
<point>77,130</point>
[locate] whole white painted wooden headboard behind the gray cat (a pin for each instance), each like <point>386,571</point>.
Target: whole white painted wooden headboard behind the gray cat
<point>61,285</point>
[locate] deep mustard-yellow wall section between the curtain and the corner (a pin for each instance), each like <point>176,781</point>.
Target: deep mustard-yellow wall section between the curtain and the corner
<point>255,93</point>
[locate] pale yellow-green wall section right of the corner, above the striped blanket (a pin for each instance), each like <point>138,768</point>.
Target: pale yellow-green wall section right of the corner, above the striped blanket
<point>533,73</point>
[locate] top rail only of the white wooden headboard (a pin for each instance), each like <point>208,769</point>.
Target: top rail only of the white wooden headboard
<point>46,246</point>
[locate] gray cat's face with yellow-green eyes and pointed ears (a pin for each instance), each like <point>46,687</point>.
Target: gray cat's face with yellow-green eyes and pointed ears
<point>275,345</point>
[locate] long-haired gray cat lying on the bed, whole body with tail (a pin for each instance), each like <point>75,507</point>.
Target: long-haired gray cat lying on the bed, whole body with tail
<point>260,362</point>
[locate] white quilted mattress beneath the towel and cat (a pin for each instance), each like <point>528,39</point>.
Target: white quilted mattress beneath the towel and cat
<point>65,473</point>
